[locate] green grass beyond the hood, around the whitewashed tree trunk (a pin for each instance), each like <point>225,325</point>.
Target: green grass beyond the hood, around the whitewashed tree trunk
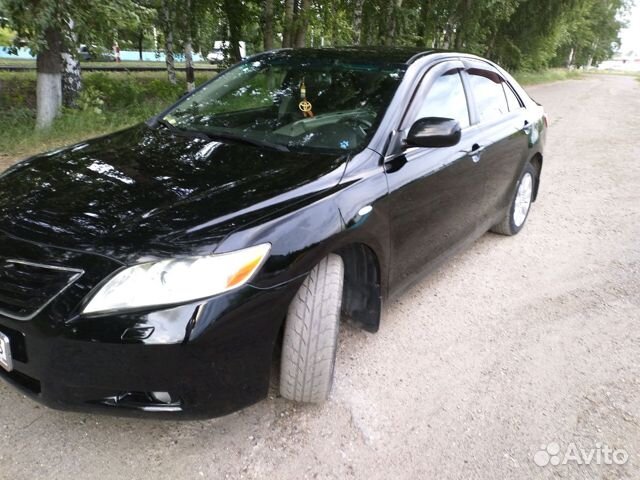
<point>110,101</point>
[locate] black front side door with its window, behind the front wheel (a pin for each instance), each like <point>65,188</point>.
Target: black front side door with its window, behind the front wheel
<point>435,194</point>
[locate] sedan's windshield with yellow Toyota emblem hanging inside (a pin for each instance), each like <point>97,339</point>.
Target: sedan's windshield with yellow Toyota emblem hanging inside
<point>292,103</point>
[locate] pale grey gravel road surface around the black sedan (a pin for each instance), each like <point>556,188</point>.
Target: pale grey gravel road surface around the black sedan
<point>515,344</point>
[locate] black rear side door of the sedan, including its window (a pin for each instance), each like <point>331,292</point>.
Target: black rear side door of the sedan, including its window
<point>499,114</point>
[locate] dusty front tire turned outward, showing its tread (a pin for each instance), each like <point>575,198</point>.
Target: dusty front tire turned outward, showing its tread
<point>311,334</point>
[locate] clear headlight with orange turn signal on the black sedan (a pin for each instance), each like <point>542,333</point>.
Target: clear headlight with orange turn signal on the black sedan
<point>175,281</point>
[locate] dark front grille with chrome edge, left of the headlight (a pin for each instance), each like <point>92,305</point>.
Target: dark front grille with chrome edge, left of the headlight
<point>26,288</point>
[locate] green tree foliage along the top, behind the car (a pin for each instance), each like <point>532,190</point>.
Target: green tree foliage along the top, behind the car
<point>521,34</point>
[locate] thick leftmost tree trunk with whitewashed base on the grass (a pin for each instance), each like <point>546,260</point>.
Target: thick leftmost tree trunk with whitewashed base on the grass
<point>49,82</point>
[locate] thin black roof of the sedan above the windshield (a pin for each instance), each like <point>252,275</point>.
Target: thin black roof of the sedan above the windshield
<point>393,55</point>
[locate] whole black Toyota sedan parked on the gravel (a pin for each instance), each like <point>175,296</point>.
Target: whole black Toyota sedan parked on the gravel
<point>164,267</point>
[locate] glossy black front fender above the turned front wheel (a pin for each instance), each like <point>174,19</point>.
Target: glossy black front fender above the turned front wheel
<point>300,239</point>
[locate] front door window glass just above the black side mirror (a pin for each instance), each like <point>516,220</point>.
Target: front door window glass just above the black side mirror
<point>446,99</point>
